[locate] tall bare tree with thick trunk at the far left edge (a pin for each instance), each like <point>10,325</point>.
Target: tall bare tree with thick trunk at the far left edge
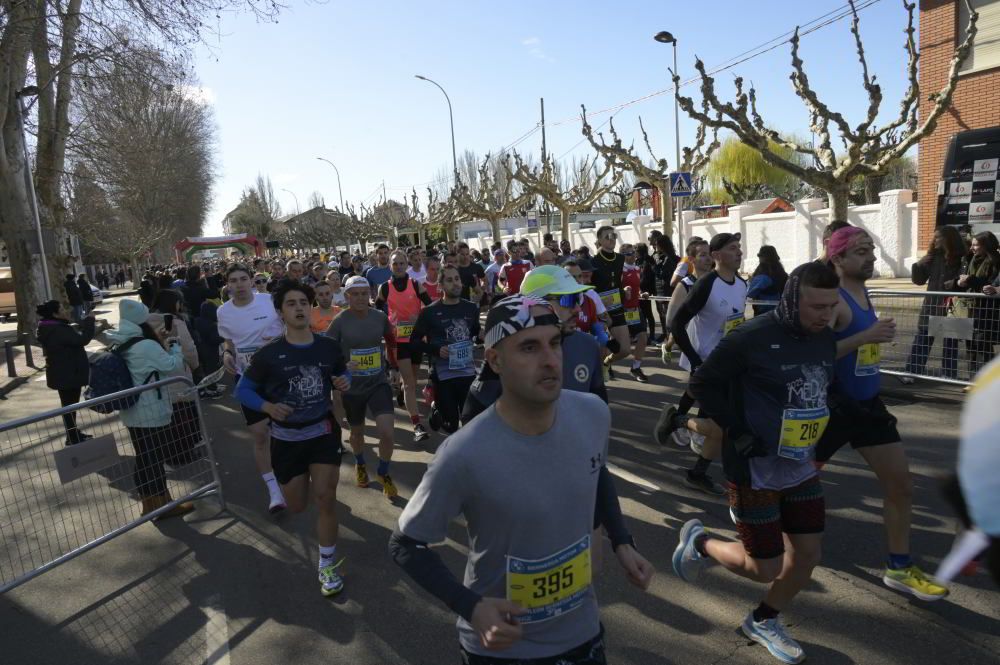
<point>51,41</point>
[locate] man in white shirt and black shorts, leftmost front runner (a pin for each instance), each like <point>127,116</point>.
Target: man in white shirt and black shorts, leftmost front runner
<point>246,322</point>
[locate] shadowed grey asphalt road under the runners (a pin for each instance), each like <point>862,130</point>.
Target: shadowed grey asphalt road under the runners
<point>236,586</point>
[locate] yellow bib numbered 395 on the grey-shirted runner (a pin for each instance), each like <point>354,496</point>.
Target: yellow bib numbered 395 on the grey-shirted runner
<point>551,586</point>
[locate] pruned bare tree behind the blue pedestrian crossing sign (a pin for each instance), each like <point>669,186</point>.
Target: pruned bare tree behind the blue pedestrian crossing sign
<point>656,174</point>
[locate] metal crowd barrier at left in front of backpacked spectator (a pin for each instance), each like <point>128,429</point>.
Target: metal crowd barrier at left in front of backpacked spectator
<point>59,499</point>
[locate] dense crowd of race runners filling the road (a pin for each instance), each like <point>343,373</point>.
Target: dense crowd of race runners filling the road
<point>318,345</point>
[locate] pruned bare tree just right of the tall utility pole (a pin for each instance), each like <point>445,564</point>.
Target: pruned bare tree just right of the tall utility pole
<point>544,182</point>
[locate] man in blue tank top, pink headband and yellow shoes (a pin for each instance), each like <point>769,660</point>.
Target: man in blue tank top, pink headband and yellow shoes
<point>862,418</point>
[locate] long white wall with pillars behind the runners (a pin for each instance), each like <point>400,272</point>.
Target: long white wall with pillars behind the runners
<point>796,235</point>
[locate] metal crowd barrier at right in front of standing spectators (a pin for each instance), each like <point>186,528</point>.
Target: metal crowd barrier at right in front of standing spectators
<point>940,336</point>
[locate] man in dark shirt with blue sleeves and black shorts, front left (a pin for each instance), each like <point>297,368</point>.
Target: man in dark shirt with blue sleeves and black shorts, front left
<point>291,379</point>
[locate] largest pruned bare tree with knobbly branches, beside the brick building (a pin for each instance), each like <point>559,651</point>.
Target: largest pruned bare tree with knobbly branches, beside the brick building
<point>867,149</point>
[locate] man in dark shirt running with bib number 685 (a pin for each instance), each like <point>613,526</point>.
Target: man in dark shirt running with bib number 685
<point>446,331</point>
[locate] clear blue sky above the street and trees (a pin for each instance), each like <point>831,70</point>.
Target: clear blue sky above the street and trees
<point>337,80</point>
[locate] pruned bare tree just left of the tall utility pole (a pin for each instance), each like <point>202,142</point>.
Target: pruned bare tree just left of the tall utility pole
<point>495,197</point>
